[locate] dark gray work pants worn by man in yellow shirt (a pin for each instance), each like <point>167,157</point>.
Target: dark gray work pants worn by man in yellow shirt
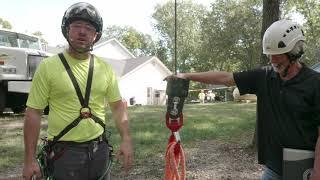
<point>81,162</point>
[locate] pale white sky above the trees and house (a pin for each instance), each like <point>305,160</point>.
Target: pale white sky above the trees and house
<point>46,15</point>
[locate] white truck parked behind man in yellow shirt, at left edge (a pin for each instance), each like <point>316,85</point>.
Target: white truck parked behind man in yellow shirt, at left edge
<point>20,55</point>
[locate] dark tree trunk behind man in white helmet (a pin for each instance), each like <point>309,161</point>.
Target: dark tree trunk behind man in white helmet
<point>271,13</point>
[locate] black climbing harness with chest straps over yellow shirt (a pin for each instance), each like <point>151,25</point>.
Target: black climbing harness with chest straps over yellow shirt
<point>46,156</point>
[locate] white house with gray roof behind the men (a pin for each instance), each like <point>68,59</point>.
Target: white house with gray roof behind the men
<point>140,78</point>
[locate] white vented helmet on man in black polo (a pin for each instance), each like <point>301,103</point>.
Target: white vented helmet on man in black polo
<point>281,37</point>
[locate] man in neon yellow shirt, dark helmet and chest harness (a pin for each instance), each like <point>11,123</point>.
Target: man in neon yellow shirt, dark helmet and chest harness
<point>82,153</point>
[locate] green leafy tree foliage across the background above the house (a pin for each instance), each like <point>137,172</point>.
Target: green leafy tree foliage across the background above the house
<point>225,36</point>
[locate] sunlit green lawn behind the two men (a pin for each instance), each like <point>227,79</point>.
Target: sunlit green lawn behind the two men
<point>230,122</point>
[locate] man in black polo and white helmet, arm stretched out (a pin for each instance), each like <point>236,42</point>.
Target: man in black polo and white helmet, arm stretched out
<point>288,95</point>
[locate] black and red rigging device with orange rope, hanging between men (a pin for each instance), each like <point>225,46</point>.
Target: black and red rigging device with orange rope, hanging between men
<point>177,91</point>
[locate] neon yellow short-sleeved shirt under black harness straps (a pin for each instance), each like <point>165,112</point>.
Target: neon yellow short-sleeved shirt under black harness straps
<point>51,85</point>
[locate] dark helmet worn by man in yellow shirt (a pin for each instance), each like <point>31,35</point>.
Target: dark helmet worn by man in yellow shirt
<point>82,11</point>
